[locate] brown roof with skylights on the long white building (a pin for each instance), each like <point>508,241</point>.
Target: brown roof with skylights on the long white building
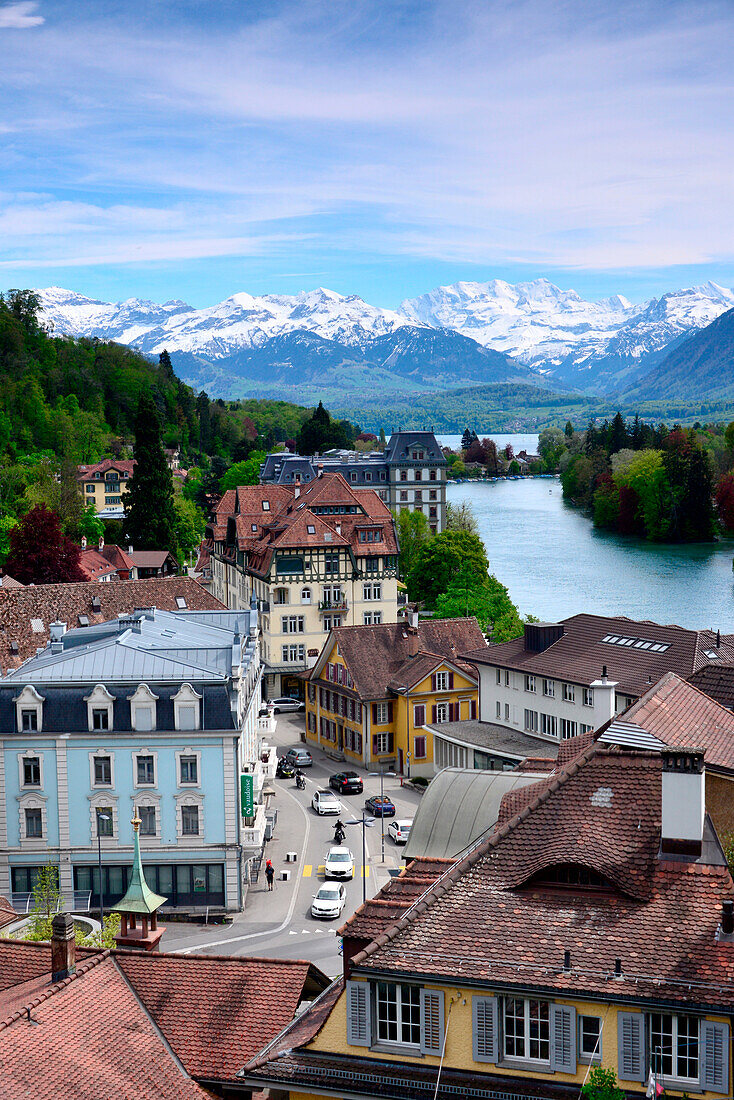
<point>580,654</point>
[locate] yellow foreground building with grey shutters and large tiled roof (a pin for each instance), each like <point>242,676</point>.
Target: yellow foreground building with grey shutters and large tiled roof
<point>593,929</point>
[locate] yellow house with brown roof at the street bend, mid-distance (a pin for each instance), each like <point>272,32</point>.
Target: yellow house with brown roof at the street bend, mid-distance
<point>376,691</point>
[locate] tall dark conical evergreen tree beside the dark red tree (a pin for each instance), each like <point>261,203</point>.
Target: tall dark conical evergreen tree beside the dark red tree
<point>150,522</point>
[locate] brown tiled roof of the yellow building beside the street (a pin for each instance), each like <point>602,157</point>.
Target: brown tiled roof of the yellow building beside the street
<point>379,659</point>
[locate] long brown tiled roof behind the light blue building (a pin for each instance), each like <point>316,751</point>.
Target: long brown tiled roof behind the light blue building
<point>26,614</point>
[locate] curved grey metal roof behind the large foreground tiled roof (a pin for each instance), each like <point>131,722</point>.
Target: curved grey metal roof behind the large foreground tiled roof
<point>458,808</point>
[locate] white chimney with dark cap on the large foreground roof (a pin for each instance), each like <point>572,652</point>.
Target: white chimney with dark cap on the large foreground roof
<point>684,802</point>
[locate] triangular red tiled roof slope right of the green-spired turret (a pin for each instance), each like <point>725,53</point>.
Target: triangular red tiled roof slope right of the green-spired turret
<point>218,1013</point>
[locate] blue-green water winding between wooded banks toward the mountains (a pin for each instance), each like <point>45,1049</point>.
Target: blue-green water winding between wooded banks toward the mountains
<point>556,564</point>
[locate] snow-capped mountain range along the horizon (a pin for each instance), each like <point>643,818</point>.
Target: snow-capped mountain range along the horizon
<point>327,345</point>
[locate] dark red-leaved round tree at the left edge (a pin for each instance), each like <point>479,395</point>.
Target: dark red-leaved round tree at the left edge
<point>40,553</point>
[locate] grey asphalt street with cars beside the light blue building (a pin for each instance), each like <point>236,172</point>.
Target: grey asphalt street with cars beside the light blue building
<point>279,923</point>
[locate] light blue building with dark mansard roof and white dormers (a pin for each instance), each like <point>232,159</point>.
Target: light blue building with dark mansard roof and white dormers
<point>155,712</point>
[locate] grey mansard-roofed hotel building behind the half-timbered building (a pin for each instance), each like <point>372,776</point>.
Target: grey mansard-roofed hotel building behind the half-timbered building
<point>409,476</point>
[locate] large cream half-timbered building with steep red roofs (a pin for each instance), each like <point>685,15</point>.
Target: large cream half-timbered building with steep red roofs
<point>316,558</point>
